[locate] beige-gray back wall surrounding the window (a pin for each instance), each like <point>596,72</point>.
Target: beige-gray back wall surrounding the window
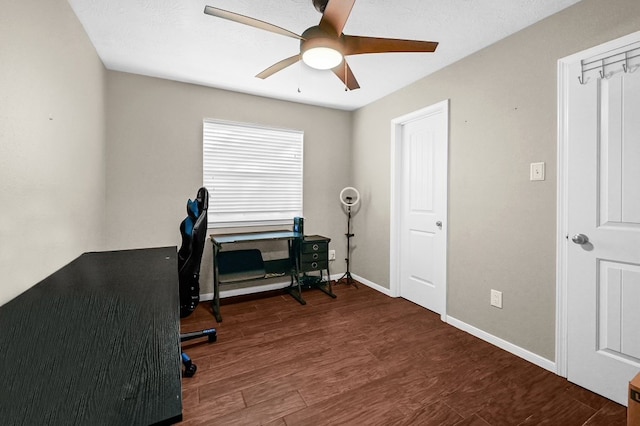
<point>154,158</point>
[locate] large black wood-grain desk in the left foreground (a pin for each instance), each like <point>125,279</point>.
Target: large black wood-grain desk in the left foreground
<point>96,343</point>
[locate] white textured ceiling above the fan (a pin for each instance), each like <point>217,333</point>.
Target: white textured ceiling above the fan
<point>177,41</point>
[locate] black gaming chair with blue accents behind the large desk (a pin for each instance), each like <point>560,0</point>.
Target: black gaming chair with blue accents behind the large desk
<point>194,234</point>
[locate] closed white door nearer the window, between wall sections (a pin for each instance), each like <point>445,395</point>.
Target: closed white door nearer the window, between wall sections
<point>422,186</point>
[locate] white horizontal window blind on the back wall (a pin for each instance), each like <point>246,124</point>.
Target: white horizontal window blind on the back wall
<point>253,173</point>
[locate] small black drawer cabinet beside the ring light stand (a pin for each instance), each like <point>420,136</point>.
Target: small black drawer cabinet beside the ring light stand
<point>313,256</point>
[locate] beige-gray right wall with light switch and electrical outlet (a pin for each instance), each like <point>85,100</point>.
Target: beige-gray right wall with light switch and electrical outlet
<point>502,117</point>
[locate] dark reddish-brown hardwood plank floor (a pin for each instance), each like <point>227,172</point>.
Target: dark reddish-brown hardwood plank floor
<point>367,359</point>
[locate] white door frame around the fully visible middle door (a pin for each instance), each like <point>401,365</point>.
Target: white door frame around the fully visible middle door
<point>441,107</point>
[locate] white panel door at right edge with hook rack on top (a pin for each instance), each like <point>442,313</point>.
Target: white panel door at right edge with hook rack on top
<point>603,230</point>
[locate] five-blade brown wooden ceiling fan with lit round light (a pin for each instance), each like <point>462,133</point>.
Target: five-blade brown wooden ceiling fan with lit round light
<point>324,46</point>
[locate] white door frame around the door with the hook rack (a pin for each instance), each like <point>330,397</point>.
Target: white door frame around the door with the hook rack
<point>562,191</point>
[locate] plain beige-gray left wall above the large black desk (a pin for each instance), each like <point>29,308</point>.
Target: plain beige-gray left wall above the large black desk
<point>52,185</point>
